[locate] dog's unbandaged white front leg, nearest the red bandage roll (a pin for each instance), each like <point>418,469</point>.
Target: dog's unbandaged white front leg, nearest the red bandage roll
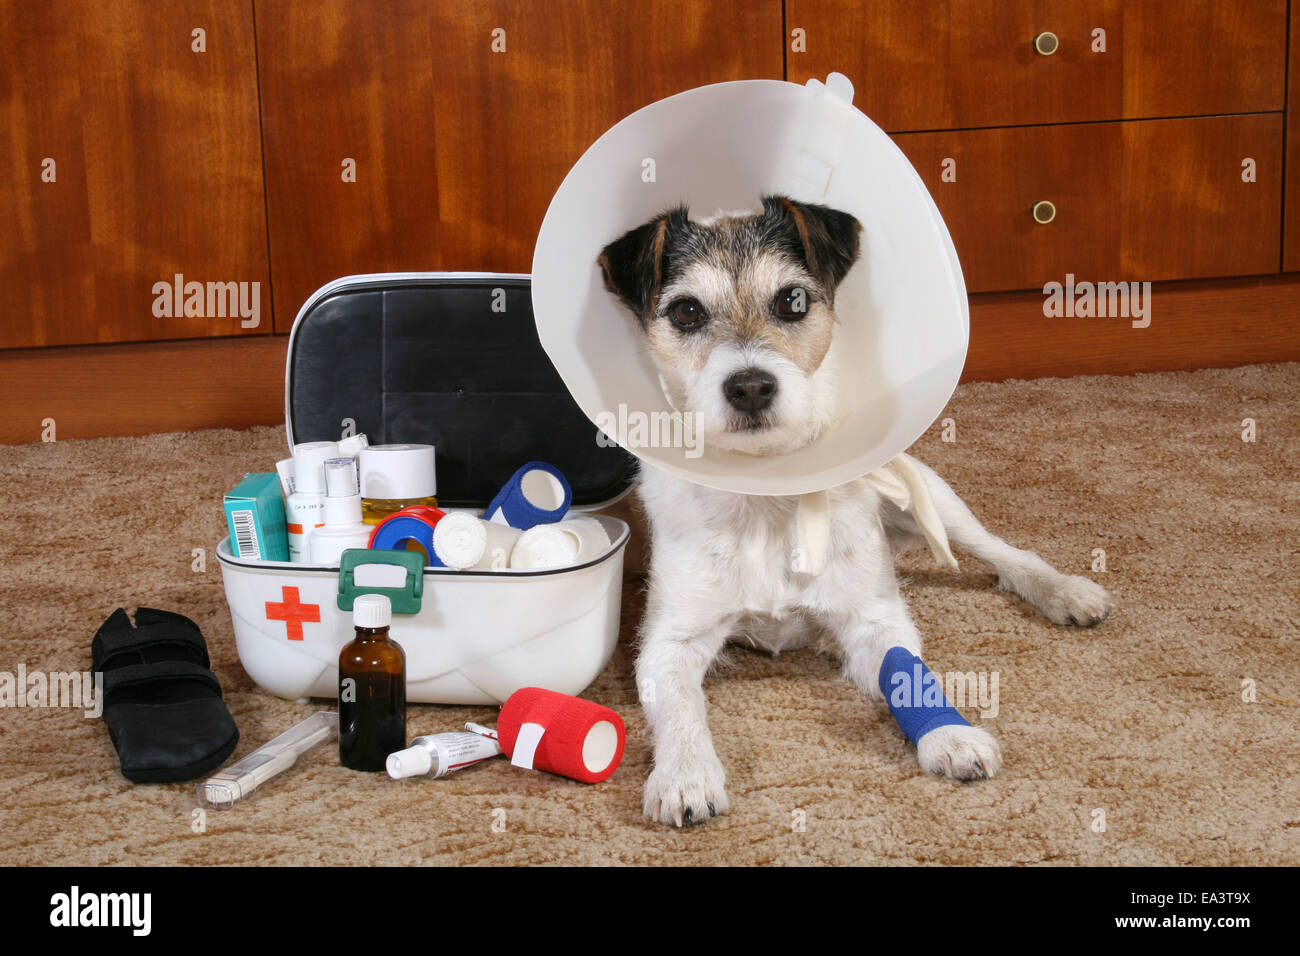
<point>687,784</point>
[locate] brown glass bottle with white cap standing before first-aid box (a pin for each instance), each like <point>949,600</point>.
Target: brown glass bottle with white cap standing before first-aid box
<point>371,690</point>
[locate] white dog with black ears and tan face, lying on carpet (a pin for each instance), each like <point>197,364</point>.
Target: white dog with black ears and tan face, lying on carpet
<point>738,313</point>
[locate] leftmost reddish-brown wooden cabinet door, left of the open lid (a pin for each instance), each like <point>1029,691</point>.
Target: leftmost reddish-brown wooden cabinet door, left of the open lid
<point>131,159</point>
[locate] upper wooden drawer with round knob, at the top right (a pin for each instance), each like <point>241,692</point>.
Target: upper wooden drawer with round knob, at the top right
<point>973,63</point>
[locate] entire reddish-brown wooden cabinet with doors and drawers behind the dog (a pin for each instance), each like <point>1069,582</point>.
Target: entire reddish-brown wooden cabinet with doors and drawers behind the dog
<point>309,140</point>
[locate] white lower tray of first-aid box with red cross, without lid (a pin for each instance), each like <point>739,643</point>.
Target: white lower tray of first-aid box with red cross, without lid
<point>479,635</point>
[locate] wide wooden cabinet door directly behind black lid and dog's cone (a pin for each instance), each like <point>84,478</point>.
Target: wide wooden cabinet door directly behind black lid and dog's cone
<point>414,136</point>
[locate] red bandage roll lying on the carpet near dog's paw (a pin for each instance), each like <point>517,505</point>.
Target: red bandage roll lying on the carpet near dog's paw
<point>564,736</point>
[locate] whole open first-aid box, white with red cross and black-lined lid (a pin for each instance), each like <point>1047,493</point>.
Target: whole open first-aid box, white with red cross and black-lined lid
<point>476,635</point>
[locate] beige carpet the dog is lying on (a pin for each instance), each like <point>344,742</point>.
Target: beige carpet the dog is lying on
<point>1142,720</point>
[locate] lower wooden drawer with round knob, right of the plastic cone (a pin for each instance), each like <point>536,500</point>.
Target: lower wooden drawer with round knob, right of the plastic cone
<point>1149,201</point>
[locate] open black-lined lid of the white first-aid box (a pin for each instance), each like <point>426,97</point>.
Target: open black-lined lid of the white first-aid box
<point>445,360</point>
